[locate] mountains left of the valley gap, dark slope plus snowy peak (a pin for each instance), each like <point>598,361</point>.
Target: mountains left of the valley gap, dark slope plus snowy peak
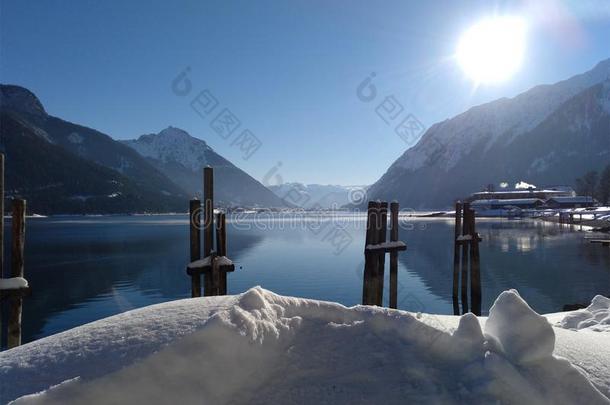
<point>62,167</point>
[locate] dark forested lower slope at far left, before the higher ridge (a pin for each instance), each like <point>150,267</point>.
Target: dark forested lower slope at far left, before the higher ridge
<point>55,181</point>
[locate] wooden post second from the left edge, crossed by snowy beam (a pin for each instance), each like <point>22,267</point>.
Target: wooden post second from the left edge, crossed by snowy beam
<point>18,243</point>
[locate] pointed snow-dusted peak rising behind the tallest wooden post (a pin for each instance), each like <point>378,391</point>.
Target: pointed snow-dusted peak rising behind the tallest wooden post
<point>182,157</point>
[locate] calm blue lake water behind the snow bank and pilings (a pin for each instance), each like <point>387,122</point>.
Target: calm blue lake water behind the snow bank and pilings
<point>86,268</point>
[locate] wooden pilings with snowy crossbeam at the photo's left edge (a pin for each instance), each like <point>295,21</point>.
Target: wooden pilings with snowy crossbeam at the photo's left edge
<point>12,294</point>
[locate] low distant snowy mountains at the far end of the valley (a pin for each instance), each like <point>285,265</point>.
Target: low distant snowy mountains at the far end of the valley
<point>319,195</point>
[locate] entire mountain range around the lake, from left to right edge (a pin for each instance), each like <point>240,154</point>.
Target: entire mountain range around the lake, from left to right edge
<point>550,134</point>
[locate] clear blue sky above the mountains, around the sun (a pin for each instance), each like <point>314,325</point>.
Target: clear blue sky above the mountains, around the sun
<point>288,70</point>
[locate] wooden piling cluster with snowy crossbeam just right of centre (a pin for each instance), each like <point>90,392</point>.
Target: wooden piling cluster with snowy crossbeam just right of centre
<point>375,249</point>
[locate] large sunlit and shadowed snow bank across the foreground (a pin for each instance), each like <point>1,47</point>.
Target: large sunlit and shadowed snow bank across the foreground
<point>259,347</point>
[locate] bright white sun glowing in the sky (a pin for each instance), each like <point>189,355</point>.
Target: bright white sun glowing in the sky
<point>492,50</point>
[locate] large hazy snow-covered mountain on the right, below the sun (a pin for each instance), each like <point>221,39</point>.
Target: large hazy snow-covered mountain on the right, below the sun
<point>548,134</point>
